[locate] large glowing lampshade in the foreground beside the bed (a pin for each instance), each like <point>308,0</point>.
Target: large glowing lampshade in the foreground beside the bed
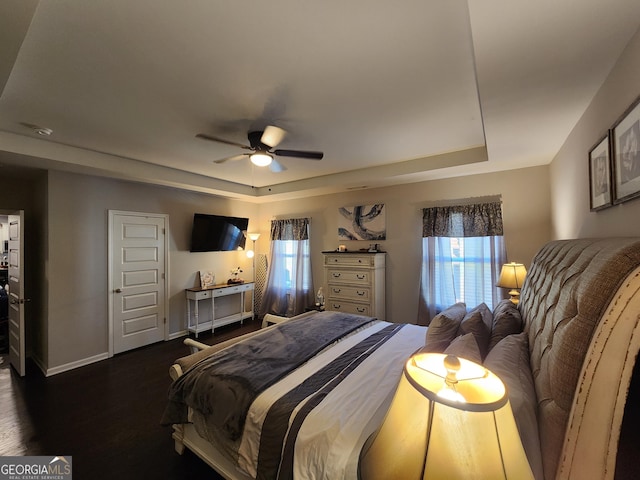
<point>426,435</point>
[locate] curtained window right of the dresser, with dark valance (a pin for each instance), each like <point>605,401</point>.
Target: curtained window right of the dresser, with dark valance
<point>463,252</point>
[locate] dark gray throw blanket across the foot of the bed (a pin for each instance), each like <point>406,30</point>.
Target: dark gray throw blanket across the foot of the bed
<point>218,387</point>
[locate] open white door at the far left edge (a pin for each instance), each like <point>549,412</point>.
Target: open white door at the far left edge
<point>16,291</point>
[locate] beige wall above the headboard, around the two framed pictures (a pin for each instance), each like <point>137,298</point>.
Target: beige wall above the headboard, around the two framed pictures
<point>571,214</point>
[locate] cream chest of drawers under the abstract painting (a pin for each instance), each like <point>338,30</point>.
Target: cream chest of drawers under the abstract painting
<point>355,282</point>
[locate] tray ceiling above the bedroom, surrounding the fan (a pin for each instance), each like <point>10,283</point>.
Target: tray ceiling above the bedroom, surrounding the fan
<point>392,92</point>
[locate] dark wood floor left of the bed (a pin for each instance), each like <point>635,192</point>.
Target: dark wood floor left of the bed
<point>105,415</point>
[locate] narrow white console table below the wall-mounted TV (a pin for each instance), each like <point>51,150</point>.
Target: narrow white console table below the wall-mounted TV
<point>195,295</point>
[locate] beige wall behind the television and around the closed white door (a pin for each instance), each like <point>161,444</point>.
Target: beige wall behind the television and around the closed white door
<point>77,267</point>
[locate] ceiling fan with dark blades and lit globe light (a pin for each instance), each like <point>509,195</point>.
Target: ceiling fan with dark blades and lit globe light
<point>261,144</point>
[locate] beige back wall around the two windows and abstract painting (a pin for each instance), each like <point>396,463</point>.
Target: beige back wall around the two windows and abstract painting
<point>526,207</point>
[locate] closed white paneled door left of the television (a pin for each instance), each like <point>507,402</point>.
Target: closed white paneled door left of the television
<point>138,280</point>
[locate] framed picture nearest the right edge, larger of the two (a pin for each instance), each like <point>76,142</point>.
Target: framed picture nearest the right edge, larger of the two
<point>626,154</point>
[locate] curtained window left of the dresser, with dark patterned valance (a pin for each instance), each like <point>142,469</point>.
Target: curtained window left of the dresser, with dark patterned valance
<point>289,286</point>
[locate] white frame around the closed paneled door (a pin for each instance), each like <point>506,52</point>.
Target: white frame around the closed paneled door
<point>110,280</point>
